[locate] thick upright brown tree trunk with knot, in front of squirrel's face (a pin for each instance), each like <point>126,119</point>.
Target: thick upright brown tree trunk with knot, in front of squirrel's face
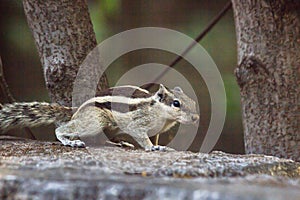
<point>268,73</point>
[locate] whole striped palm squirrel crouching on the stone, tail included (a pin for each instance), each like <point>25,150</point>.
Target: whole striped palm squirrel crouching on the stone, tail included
<point>117,111</point>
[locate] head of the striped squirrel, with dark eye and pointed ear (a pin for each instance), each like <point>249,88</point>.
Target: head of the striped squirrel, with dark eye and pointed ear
<point>176,105</point>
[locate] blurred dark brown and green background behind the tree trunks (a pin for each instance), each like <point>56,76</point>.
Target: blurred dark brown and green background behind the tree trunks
<point>24,74</point>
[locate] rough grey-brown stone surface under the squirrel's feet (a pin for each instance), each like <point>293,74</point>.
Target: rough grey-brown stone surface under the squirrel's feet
<point>46,170</point>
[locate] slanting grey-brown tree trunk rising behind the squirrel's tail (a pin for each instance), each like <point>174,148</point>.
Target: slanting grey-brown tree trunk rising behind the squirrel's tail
<point>64,35</point>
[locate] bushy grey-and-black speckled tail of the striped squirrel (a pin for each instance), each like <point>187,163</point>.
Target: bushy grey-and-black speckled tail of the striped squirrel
<point>19,115</point>
